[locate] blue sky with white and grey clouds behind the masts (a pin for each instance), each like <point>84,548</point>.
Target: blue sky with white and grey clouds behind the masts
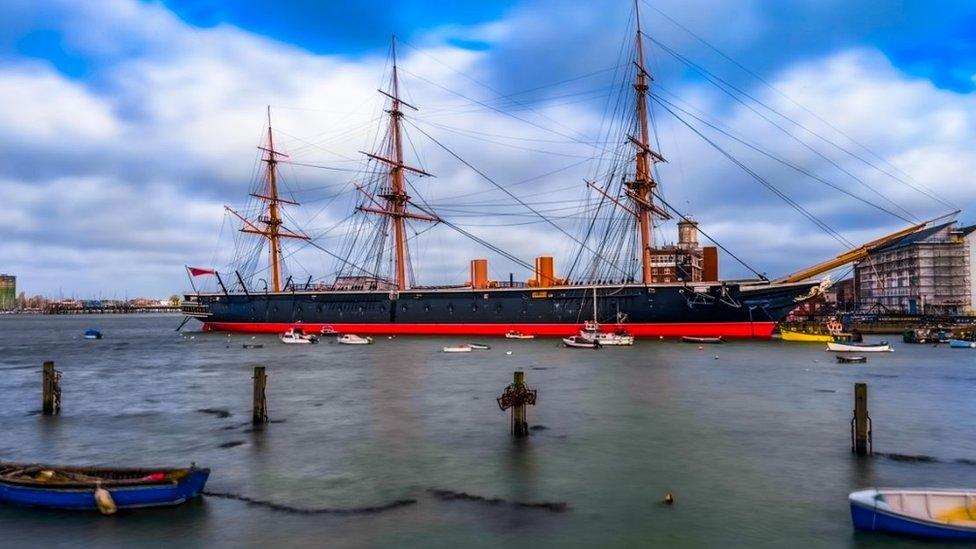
<point>126,126</point>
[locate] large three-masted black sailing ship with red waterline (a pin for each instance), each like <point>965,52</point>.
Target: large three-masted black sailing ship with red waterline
<point>621,279</point>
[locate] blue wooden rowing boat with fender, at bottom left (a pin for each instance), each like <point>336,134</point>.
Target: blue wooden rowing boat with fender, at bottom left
<point>98,488</point>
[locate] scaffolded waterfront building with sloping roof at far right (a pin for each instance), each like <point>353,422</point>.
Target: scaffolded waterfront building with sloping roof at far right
<point>929,272</point>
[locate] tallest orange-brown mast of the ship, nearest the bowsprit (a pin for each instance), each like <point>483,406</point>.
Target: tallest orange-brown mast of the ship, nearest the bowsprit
<point>640,191</point>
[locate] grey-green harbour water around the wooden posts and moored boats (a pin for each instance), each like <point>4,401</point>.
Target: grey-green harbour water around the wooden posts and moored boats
<point>754,445</point>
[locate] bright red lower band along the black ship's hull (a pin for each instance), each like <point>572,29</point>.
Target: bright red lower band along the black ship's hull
<point>697,329</point>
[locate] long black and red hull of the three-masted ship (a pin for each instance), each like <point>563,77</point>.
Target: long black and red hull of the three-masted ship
<point>731,309</point>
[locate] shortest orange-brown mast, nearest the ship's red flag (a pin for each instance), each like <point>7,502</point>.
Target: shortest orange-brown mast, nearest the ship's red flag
<point>269,225</point>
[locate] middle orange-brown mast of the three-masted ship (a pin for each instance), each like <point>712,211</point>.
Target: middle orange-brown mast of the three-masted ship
<point>395,195</point>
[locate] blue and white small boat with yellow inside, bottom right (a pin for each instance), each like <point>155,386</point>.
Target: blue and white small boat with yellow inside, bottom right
<point>934,514</point>
